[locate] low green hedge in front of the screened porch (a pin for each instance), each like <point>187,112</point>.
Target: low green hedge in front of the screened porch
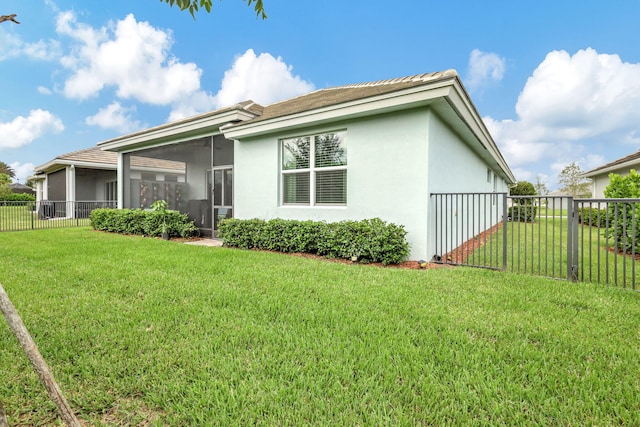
<point>142,222</point>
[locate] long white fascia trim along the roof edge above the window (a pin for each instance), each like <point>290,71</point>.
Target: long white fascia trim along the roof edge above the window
<point>409,98</point>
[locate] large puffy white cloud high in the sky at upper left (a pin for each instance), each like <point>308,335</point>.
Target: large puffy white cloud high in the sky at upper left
<point>131,56</point>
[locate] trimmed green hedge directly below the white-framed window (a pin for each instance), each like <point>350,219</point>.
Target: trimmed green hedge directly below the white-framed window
<point>371,240</point>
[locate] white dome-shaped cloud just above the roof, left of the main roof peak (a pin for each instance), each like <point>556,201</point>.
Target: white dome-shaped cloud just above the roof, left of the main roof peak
<point>261,78</point>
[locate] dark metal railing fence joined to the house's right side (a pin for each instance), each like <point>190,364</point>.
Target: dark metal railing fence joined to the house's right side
<point>590,240</point>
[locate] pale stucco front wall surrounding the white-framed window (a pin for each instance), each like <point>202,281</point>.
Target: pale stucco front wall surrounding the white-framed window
<point>386,175</point>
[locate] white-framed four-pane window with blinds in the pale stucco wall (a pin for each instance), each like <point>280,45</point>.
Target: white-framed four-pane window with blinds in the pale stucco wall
<point>314,170</point>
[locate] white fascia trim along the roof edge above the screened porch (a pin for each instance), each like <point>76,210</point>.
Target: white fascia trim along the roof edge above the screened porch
<point>175,132</point>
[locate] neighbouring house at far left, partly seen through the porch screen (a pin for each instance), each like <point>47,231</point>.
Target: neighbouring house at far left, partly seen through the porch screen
<point>91,175</point>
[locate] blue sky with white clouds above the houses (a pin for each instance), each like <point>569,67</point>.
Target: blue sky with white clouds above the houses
<point>554,81</point>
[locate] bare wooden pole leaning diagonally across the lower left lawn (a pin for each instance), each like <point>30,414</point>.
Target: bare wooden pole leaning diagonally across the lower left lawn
<point>37,361</point>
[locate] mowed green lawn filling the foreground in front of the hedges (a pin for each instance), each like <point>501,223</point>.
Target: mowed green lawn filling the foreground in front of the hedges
<point>140,331</point>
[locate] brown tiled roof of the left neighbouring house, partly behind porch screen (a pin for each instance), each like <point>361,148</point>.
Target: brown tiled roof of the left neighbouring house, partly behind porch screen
<point>96,158</point>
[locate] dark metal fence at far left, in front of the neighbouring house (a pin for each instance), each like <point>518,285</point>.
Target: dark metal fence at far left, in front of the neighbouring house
<point>18,216</point>
